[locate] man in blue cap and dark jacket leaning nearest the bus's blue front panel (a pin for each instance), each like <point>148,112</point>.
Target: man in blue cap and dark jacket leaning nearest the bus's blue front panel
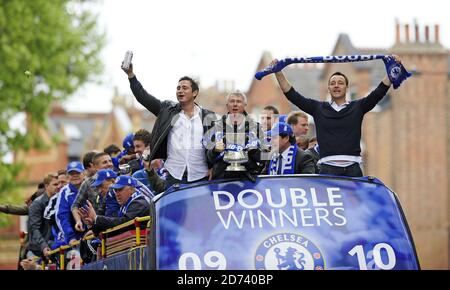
<point>132,204</point>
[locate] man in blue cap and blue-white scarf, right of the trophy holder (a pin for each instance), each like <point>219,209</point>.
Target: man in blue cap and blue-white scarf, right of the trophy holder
<point>287,157</point>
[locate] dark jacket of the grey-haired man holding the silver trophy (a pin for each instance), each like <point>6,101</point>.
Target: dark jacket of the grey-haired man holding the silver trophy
<point>254,154</point>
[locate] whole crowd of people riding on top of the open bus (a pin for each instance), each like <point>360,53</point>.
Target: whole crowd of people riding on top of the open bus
<point>188,144</point>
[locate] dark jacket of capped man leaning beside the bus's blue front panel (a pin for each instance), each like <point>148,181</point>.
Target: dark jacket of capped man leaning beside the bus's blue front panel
<point>139,207</point>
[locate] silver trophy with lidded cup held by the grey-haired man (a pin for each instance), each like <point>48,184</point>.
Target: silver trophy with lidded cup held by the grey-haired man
<point>235,156</point>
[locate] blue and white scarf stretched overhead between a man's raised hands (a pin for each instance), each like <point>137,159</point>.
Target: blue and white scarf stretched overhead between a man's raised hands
<point>395,71</point>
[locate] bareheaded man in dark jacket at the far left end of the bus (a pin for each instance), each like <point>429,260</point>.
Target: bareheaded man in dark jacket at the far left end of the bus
<point>38,227</point>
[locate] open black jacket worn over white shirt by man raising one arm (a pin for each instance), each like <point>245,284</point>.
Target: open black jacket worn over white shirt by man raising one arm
<point>165,111</point>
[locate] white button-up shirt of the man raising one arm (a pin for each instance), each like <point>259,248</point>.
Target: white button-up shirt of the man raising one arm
<point>184,147</point>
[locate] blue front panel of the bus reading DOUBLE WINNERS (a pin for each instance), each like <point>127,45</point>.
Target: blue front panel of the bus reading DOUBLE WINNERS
<point>283,222</point>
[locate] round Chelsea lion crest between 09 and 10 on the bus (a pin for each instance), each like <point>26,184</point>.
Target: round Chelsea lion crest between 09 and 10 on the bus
<point>288,251</point>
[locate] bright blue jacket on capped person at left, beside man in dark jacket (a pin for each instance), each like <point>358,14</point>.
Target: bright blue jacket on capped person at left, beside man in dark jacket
<point>64,218</point>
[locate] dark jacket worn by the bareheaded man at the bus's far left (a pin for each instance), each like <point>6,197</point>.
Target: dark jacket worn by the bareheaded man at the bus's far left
<point>38,227</point>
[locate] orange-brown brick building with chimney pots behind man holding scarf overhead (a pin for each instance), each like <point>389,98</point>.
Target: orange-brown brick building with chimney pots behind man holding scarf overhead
<point>406,137</point>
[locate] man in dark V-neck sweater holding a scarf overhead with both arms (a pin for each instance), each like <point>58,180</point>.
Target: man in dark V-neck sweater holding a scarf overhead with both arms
<point>338,122</point>
